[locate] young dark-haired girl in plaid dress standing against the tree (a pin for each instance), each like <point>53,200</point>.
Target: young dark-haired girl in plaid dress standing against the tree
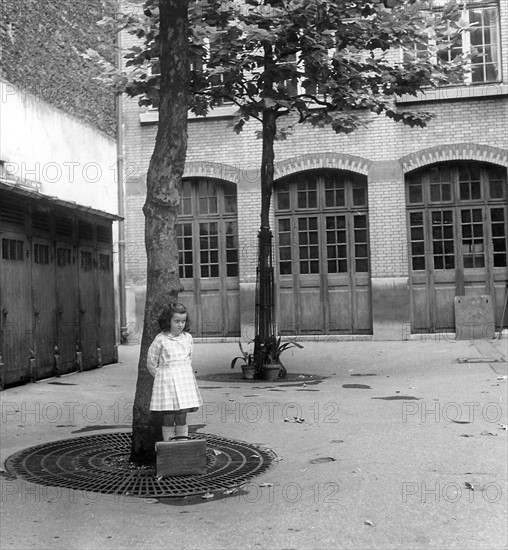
<point>175,391</point>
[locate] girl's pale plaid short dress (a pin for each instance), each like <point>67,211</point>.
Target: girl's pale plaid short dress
<point>169,361</point>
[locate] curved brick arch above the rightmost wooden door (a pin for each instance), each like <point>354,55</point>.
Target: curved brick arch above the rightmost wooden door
<point>454,152</point>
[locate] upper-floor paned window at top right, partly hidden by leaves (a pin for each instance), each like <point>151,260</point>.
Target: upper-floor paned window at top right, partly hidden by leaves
<point>480,40</point>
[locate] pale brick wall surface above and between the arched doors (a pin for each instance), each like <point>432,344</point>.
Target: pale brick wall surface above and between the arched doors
<point>462,119</point>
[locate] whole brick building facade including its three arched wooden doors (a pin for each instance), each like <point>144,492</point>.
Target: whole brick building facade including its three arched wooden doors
<point>375,232</point>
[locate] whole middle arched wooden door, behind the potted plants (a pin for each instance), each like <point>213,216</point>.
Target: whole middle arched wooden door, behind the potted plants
<point>322,254</point>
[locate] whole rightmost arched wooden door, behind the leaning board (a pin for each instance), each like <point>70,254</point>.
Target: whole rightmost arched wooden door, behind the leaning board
<point>457,215</point>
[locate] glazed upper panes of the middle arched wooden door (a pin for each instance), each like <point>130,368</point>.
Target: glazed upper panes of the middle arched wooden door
<point>322,223</point>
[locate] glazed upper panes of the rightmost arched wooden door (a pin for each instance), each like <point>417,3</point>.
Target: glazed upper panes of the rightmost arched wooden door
<point>457,217</point>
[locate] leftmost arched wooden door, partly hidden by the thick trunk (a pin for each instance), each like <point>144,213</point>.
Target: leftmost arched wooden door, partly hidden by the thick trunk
<point>207,234</point>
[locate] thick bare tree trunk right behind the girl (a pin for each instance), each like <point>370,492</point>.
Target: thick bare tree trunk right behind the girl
<point>161,209</point>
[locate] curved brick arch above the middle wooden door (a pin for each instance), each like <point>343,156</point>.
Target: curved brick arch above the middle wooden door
<point>312,161</point>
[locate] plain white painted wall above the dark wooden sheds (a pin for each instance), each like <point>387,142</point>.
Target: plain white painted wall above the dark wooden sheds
<point>58,154</point>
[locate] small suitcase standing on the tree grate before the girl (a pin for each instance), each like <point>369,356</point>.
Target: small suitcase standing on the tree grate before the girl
<point>181,456</point>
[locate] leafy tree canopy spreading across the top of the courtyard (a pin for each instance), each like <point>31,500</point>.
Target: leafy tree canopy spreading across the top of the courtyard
<point>327,61</point>
